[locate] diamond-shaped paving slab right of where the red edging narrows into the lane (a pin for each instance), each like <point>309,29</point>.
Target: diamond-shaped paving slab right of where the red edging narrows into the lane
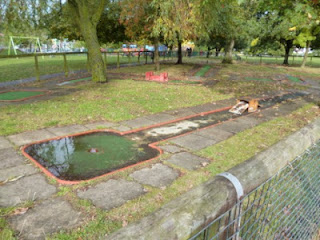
<point>193,141</point>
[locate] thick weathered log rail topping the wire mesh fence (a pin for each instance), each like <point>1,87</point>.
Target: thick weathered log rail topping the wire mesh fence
<point>189,213</point>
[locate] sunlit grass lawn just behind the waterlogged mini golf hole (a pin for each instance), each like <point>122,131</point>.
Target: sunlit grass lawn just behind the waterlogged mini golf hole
<point>114,101</point>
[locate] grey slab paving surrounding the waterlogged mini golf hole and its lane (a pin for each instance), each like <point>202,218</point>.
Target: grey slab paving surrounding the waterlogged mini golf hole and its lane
<point>52,213</point>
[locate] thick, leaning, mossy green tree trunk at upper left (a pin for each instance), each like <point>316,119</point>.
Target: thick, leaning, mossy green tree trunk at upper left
<point>87,15</point>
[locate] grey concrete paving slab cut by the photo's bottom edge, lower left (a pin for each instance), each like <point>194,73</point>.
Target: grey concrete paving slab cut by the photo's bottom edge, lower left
<point>48,217</point>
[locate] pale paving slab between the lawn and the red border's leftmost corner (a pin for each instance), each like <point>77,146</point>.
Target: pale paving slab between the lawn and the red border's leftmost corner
<point>29,137</point>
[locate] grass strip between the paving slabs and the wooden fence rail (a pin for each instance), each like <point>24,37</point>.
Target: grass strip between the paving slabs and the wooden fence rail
<point>223,156</point>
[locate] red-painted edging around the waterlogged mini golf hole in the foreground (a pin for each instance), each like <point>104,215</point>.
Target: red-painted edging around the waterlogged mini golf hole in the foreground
<point>152,145</point>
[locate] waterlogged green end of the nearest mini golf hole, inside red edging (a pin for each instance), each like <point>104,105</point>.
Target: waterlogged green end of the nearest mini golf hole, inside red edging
<point>89,155</point>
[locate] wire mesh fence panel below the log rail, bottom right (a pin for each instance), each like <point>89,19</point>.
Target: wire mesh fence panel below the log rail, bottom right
<point>287,206</point>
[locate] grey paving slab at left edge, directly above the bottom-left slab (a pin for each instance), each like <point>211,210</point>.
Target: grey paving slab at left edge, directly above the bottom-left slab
<point>32,187</point>
